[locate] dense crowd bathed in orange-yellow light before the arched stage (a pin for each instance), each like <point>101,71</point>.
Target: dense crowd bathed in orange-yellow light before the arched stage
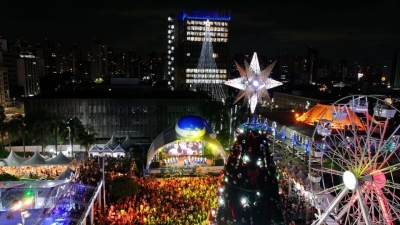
<point>180,201</point>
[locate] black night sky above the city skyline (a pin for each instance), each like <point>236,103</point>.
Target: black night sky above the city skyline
<point>366,30</point>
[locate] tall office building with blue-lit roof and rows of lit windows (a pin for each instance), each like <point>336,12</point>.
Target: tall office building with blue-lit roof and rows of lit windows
<point>189,35</point>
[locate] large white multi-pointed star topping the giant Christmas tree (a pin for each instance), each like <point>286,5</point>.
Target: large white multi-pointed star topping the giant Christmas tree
<point>253,83</point>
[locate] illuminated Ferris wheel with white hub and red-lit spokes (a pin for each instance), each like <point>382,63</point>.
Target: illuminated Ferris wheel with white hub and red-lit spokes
<point>354,162</point>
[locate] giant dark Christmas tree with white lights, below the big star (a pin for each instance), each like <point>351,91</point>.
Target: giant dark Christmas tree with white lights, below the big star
<point>249,193</point>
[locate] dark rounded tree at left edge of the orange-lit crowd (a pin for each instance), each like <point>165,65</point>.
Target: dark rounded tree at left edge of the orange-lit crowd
<point>122,187</point>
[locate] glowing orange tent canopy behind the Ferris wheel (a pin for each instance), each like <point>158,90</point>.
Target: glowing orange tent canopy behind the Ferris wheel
<point>324,112</point>
